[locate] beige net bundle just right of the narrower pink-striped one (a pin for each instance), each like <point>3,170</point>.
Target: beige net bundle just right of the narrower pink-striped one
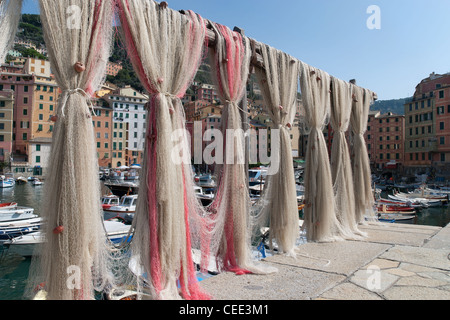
<point>278,208</point>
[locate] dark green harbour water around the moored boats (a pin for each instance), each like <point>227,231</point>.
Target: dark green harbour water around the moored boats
<point>14,269</point>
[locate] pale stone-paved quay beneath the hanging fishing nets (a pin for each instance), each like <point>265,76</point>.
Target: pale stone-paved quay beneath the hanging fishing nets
<point>395,262</point>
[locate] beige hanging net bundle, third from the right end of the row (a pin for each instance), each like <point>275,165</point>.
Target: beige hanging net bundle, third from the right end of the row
<point>320,222</point>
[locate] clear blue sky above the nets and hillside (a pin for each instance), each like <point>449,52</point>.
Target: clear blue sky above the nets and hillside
<point>414,39</point>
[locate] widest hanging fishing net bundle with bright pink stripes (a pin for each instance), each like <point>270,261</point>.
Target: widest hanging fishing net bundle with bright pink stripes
<point>165,48</point>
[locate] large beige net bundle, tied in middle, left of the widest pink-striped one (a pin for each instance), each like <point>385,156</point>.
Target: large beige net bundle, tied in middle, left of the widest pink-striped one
<point>75,240</point>
